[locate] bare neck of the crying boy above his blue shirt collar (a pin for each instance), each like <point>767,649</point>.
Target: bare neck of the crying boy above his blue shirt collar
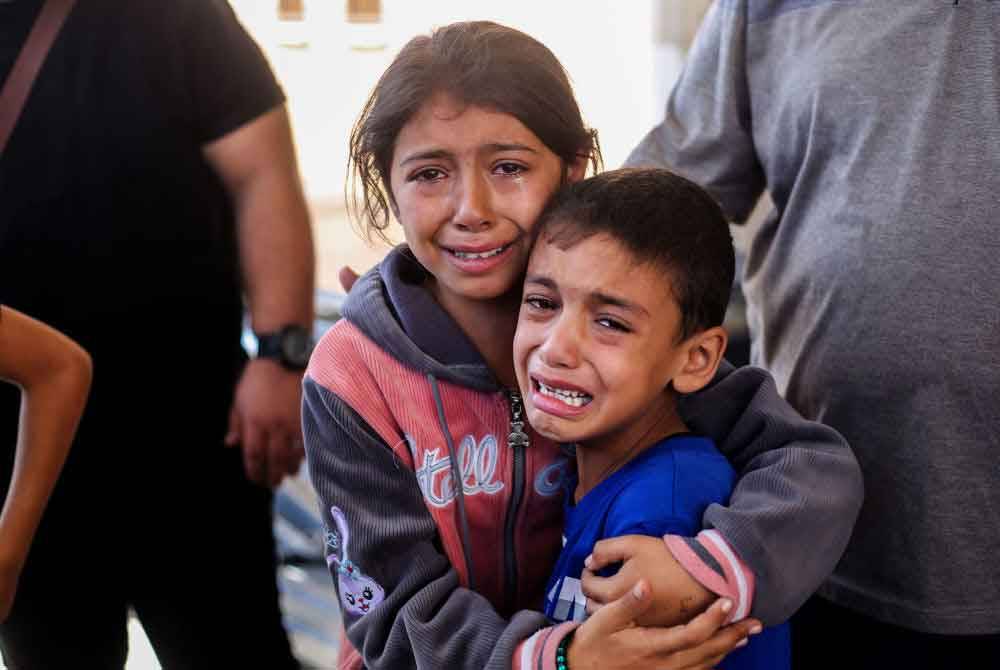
<point>598,459</point>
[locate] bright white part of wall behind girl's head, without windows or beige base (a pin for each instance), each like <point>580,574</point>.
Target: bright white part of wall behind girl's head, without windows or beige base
<point>606,47</point>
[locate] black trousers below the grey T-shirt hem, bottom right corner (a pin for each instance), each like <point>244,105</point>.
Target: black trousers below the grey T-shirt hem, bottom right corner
<point>827,636</point>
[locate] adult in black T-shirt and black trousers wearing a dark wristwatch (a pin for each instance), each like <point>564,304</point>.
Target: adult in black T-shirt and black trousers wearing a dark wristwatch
<point>149,182</point>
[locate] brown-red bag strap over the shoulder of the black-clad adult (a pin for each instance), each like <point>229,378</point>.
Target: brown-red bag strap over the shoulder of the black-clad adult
<point>29,62</point>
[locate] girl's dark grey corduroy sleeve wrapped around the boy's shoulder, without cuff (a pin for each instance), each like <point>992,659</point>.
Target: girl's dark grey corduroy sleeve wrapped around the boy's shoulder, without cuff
<point>799,489</point>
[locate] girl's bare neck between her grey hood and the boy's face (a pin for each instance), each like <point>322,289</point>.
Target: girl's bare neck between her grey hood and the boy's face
<point>489,324</point>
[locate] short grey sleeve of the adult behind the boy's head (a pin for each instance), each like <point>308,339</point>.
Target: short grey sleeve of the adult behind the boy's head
<point>706,132</point>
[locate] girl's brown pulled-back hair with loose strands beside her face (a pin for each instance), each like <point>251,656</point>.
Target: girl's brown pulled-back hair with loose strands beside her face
<point>476,63</point>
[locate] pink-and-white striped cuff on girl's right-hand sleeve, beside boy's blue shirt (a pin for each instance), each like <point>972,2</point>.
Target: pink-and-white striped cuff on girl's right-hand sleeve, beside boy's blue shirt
<point>710,560</point>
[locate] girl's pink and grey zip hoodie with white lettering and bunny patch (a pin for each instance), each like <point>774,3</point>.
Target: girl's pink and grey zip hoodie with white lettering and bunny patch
<point>399,405</point>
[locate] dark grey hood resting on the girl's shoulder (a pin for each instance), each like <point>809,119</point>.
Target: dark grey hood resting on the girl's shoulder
<point>391,305</point>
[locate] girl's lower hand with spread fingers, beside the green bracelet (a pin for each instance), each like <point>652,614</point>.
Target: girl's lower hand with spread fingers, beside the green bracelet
<point>610,639</point>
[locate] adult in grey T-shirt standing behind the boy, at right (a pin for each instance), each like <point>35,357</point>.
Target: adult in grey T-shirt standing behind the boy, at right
<point>872,284</point>
